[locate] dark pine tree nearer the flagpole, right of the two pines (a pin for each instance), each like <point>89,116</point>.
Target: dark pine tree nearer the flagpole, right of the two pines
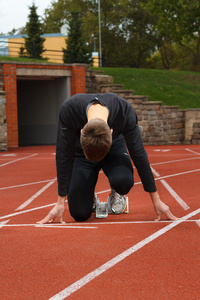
<point>77,50</point>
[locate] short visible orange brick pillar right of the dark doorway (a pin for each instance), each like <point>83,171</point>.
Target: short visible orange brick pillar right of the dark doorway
<point>78,79</point>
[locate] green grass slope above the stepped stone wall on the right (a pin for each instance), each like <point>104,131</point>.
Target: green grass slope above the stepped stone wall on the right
<point>171,87</point>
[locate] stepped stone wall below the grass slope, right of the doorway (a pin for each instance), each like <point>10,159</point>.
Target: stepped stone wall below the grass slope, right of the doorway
<point>159,124</point>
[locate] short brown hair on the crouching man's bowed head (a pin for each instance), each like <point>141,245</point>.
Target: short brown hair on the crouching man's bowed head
<point>96,139</point>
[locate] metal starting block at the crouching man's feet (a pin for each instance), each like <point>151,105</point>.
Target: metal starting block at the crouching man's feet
<point>103,209</point>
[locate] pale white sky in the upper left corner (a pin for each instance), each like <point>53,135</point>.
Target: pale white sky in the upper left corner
<point>14,13</point>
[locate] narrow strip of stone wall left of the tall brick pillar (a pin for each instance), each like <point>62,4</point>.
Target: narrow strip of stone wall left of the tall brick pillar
<point>3,125</point>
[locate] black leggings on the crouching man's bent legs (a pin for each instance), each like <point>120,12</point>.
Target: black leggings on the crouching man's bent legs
<point>116,166</point>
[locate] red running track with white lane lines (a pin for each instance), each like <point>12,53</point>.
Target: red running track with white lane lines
<point>127,256</point>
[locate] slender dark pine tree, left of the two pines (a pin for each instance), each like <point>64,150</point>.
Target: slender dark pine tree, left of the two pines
<point>34,41</point>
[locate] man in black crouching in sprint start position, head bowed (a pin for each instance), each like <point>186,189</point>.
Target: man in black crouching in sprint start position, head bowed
<point>94,133</point>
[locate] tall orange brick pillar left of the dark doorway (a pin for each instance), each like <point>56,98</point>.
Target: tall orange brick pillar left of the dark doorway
<point>10,87</point>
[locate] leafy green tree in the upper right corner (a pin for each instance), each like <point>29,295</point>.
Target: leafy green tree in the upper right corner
<point>179,21</point>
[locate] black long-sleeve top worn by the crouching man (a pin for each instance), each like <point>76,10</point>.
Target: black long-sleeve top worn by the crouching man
<point>122,119</point>
